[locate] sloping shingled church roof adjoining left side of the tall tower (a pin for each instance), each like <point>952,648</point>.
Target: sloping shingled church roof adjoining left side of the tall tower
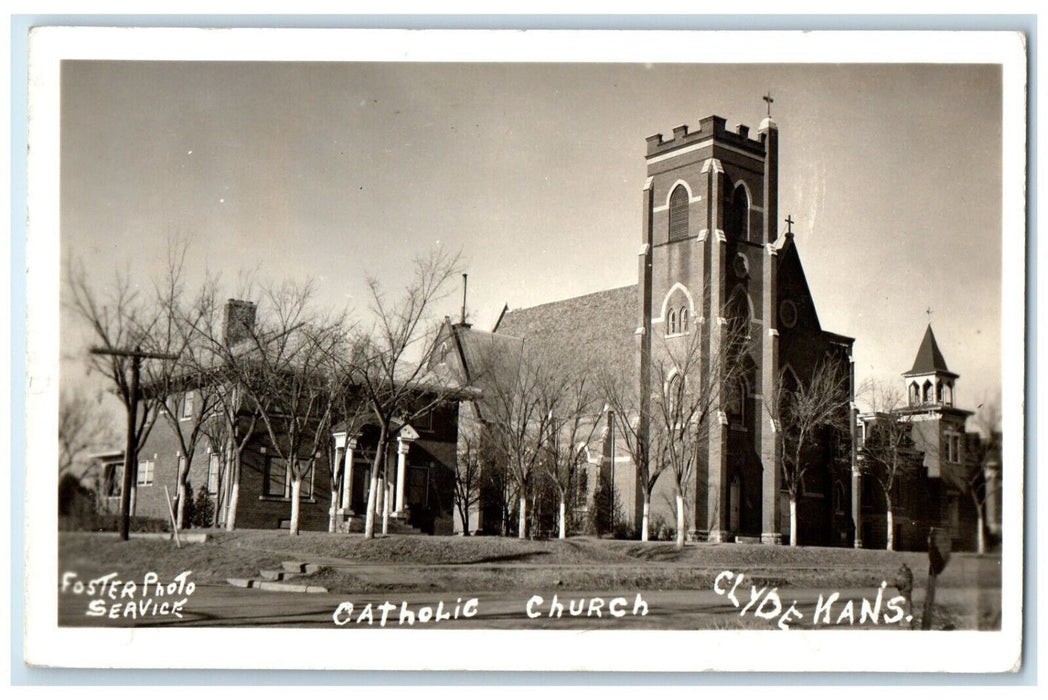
<point>584,334</point>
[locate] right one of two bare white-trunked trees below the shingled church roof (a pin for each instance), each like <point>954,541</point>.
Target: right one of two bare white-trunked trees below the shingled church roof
<point>574,417</point>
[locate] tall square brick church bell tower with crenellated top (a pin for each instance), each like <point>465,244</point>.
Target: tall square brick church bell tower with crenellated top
<point>709,256</point>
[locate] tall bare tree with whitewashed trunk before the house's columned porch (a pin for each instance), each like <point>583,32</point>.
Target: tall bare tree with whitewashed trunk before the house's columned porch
<point>391,371</point>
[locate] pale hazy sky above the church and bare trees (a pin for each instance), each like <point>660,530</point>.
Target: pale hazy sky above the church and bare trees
<point>340,171</point>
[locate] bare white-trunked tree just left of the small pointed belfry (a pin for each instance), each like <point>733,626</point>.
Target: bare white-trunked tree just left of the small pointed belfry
<point>889,456</point>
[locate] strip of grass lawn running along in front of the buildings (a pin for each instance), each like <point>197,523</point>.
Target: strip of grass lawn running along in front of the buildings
<point>419,563</point>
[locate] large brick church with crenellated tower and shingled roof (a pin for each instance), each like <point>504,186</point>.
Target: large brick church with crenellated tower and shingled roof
<point>711,250</point>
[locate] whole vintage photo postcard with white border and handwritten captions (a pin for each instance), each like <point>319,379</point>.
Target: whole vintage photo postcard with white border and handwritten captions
<point>634,352</point>
